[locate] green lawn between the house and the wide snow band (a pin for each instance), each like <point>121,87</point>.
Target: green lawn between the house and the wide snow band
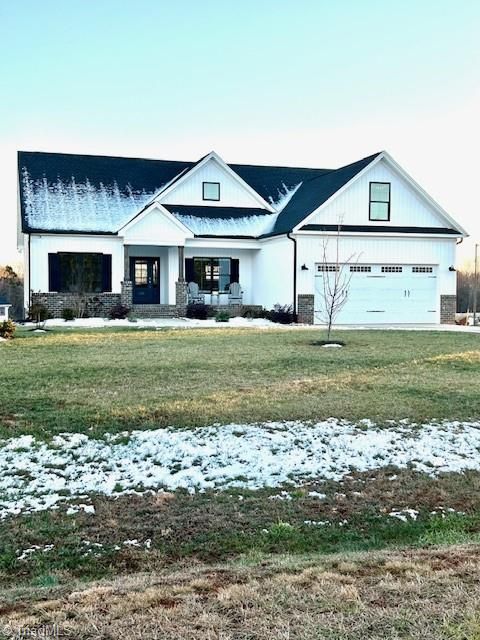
<point>104,380</point>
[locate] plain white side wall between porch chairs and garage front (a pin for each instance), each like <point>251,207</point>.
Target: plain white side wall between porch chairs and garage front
<point>273,273</point>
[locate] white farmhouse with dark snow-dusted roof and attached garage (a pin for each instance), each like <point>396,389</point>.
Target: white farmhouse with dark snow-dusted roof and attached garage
<point>140,231</point>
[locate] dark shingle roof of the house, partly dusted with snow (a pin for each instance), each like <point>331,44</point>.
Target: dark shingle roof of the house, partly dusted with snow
<point>100,194</point>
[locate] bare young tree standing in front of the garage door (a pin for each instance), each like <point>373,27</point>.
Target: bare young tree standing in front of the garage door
<point>335,283</point>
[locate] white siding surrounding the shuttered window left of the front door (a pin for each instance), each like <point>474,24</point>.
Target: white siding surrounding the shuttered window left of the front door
<point>42,245</point>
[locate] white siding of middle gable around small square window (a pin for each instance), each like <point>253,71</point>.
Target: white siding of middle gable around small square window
<point>232,193</point>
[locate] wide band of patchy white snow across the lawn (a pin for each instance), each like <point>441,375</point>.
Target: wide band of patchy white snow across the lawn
<point>35,475</point>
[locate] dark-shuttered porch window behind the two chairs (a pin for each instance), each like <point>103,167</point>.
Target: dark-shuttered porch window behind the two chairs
<point>213,275</point>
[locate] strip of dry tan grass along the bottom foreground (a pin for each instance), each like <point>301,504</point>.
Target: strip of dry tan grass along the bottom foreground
<point>424,595</point>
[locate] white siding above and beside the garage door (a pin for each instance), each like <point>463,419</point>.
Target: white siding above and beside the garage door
<point>378,250</point>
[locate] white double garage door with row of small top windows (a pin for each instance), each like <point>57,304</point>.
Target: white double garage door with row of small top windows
<point>380,294</point>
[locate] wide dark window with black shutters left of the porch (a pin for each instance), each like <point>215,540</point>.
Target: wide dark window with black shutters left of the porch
<point>80,272</point>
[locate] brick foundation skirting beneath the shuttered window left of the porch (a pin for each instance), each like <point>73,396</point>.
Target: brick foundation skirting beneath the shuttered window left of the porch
<point>96,304</point>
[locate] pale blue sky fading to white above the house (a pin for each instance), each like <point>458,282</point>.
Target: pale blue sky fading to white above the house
<point>289,81</point>
